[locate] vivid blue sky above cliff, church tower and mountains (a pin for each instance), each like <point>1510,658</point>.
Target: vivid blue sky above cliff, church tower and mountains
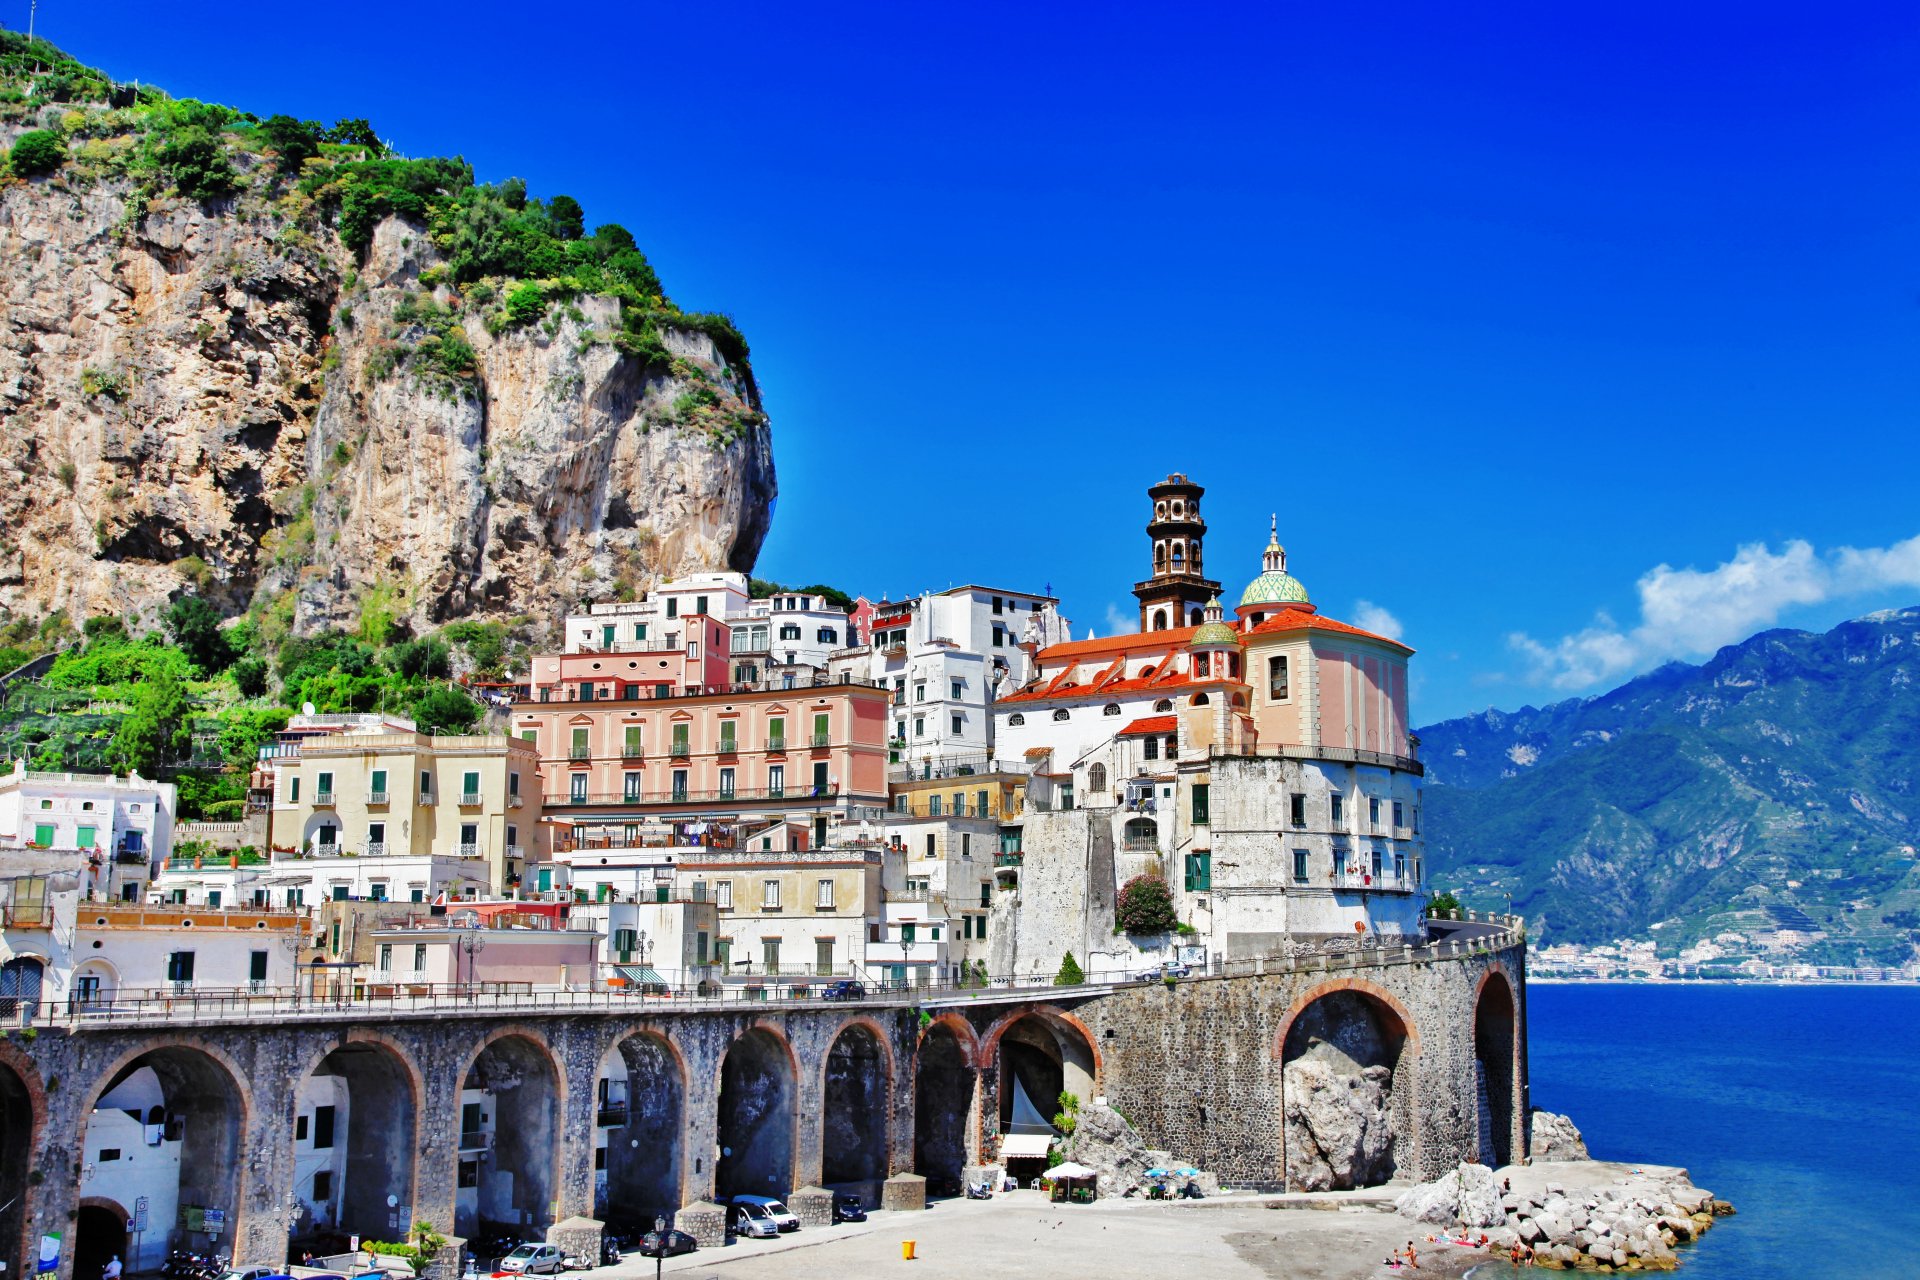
<point>1500,312</point>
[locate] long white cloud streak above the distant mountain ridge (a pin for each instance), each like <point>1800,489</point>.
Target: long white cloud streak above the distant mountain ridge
<point>1689,611</point>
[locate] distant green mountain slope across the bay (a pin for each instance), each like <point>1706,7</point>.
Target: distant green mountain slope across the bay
<point>1771,788</point>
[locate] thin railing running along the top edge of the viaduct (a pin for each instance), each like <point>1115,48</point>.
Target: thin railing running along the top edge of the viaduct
<point>1477,934</point>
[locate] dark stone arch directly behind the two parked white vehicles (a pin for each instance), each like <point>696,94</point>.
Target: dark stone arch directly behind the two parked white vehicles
<point>757,1116</point>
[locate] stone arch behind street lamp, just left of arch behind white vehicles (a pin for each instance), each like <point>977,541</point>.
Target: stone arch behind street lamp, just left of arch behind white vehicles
<point>646,1145</point>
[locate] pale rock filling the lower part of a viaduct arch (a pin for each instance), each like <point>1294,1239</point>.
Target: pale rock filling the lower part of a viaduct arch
<point>1339,1126</point>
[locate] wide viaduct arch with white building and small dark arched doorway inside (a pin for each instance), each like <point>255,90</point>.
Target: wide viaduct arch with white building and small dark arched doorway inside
<point>168,1129</point>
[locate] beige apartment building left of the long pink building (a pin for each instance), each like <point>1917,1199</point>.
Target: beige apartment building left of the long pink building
<point>469,795</point>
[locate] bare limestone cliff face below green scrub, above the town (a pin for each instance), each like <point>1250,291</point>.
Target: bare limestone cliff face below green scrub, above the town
<point>210,394</point>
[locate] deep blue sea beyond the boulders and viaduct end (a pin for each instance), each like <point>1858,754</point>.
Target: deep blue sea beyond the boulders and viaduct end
<point>1800,1104</point>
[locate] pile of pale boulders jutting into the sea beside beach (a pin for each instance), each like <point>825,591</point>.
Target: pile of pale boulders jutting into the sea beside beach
<point>1593,1216</point>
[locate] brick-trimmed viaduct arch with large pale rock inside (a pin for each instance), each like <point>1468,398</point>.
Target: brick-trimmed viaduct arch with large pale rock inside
<point>1349,1056</point>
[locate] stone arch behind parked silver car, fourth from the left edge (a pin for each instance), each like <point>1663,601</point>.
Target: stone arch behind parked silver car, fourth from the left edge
<point>514,1104</point>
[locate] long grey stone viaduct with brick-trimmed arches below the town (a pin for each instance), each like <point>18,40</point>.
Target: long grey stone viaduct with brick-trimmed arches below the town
<point>754,1097</point>
